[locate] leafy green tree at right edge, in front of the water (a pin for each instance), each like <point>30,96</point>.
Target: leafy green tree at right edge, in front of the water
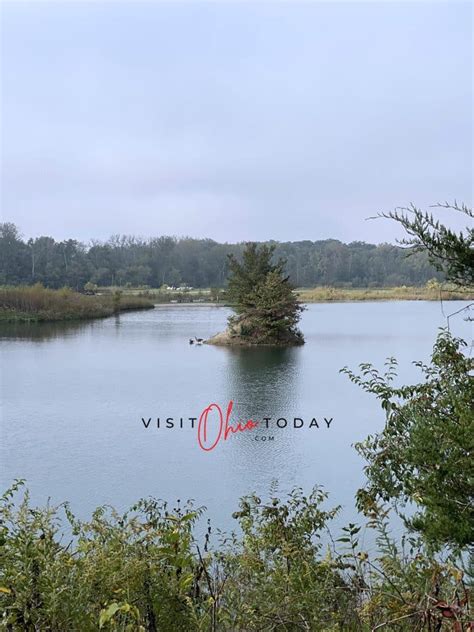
<point>423,456</point>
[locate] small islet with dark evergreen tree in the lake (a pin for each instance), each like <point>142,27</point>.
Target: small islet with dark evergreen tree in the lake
<point>267,310</point>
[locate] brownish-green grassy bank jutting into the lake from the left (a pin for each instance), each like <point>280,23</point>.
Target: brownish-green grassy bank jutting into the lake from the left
<point>36,303</point>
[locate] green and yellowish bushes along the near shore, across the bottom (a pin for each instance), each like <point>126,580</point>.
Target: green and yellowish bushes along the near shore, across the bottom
<point>145,571</point>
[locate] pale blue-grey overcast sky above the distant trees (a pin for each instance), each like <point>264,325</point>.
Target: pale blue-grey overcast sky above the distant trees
<point>233,121</point>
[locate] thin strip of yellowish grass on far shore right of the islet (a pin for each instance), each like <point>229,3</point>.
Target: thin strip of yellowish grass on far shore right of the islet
<point>428,292</point>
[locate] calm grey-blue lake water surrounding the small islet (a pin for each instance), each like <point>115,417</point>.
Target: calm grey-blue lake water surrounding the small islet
<point>74,397</point>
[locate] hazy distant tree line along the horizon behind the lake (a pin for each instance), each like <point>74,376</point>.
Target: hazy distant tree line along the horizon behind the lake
<point>127,260</point>
